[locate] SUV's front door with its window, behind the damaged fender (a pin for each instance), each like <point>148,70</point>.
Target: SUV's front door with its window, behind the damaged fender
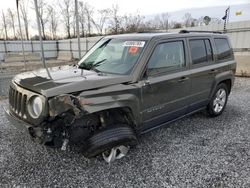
<point>166,84</point>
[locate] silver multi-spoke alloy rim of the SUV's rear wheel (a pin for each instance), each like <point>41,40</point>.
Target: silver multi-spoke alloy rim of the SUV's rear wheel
<point>220,100</point>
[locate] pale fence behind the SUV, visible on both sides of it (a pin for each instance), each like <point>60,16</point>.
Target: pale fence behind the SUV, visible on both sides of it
<point>56,51</point>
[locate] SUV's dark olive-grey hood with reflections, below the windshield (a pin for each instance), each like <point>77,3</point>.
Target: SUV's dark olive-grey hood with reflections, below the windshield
<point>66,79</point>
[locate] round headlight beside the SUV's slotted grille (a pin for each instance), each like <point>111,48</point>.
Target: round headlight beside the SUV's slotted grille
<point>35,106</point>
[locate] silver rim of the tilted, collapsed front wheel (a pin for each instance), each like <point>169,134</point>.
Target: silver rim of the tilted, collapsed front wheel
<point>115,153</point>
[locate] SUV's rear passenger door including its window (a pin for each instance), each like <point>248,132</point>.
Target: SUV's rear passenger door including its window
<point>203,73</point>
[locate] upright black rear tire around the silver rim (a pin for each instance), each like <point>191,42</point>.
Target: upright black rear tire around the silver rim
<point>211,108</point>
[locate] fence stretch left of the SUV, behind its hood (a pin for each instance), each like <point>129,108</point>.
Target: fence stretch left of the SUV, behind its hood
<point>59,52</point>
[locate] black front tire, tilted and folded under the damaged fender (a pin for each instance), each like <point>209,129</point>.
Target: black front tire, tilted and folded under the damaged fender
<point>108,138</point>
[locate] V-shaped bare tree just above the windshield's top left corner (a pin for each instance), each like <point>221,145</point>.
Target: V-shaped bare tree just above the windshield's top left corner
<point>103,17</point>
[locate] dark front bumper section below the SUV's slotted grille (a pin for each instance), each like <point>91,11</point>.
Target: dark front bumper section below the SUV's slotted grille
<point>19,124</point>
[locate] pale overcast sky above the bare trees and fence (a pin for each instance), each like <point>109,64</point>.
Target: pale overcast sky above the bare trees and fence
<point>149,8</point>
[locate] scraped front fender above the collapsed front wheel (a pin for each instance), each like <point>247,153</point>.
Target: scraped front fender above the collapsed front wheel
<point>116,96</point>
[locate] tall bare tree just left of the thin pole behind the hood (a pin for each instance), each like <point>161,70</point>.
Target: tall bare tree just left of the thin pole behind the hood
<point>66,15</point>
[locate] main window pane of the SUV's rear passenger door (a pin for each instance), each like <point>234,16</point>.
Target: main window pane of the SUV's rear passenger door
<point>198,51</point>
